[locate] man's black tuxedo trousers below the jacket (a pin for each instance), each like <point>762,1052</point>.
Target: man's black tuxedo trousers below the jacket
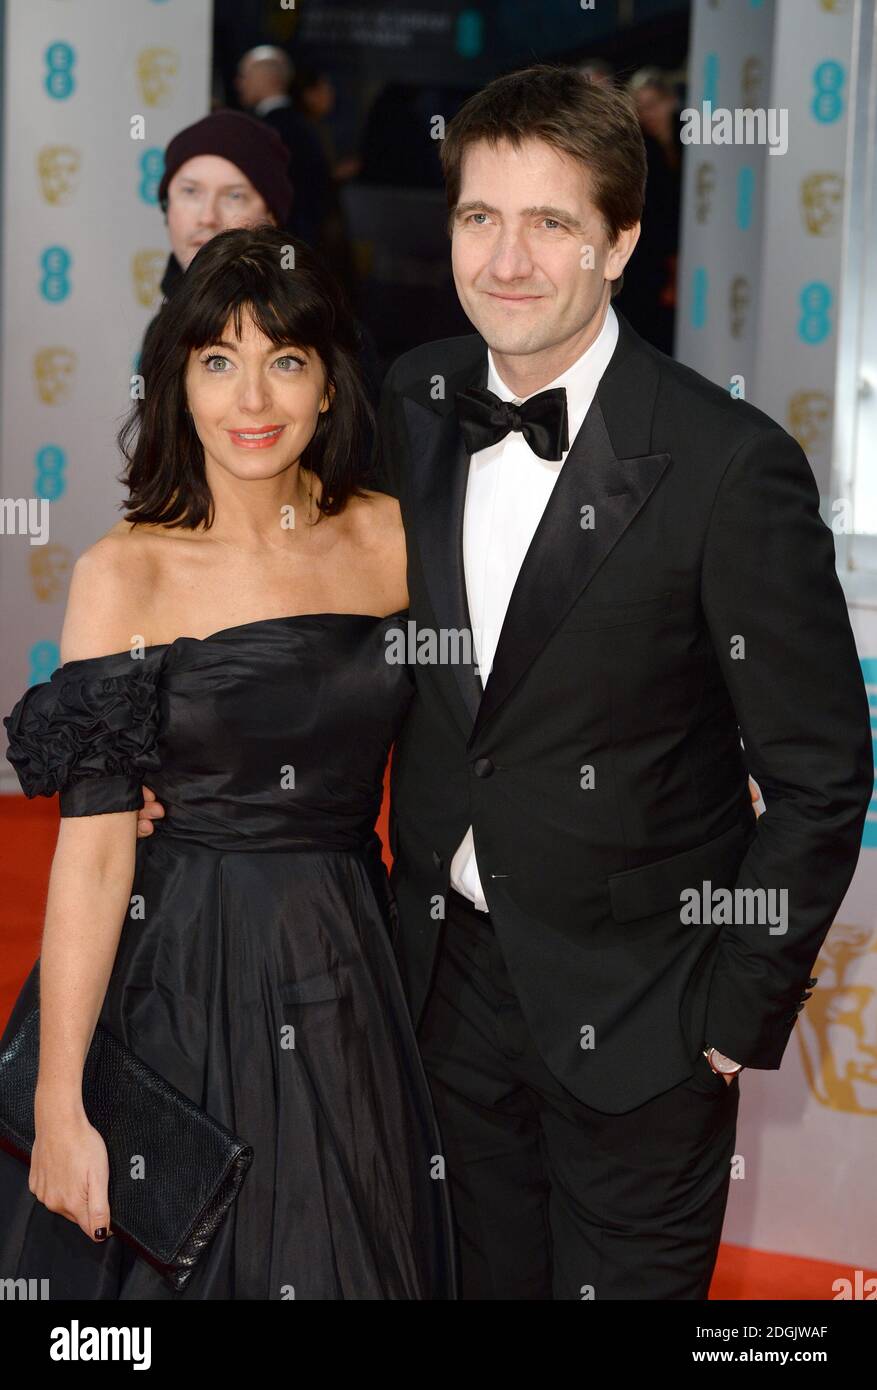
<point>552,1199</point>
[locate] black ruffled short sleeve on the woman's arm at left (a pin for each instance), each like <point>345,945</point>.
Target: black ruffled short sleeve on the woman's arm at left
<point>91,733</point>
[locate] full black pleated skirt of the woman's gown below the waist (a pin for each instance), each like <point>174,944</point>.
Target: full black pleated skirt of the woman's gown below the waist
<point>265,986</point>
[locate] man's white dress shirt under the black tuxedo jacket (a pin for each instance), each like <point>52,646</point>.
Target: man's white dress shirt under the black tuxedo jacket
<point>507,494</point>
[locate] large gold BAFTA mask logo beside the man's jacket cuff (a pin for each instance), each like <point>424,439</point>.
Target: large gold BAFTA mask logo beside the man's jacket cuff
<point>837,1028</point>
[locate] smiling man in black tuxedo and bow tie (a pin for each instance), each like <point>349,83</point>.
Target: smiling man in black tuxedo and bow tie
<point>594,931</point>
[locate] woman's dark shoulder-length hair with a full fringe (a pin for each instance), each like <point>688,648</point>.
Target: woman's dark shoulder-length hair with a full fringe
<point>294,302</point>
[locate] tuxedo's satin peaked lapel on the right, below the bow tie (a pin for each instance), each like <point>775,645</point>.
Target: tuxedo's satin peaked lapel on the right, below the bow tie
<point>564,557</point>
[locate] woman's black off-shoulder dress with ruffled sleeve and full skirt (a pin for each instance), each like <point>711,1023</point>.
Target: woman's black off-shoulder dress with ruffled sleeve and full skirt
<point>261,901</point>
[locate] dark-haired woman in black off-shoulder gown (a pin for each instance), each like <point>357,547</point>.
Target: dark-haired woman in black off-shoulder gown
<point>263,906</point>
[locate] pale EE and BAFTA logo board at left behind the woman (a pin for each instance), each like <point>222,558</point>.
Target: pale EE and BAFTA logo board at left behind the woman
<point>92,94</point>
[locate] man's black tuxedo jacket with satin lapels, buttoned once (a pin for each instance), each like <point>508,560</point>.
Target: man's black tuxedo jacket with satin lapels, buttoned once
<point>603,767</point>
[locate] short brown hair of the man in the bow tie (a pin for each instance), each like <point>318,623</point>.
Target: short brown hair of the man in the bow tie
<point>594,124</point>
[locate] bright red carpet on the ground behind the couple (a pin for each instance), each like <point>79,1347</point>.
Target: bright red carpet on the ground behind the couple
<point>28,832</point>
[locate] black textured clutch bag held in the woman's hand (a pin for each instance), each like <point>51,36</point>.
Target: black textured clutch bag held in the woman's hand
<point>195,1167</point>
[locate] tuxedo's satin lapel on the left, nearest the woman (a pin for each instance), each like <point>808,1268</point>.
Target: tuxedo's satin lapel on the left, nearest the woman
<point>440,473</point>
